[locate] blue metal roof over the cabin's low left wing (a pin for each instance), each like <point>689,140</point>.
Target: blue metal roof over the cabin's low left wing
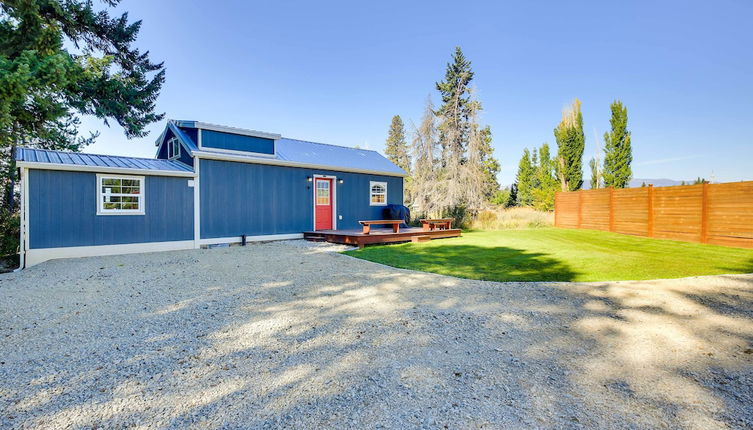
<point>32,155</point>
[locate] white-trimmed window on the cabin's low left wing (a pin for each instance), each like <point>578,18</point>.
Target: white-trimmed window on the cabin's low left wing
<point>120,195</point>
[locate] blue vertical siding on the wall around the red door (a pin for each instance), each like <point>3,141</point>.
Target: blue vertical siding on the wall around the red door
<point>256,199</point>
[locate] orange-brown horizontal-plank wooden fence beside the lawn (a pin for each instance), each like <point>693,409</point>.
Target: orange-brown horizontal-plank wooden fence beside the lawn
<point>720,214</point>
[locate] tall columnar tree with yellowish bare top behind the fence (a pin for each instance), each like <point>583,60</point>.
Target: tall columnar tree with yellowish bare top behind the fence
<point>571,143</point>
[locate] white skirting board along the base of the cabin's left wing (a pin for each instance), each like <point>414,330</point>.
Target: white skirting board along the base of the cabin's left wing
<point>36,256</point>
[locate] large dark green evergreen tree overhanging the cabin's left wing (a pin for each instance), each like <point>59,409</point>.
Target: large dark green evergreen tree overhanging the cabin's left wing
<point>45,85</point>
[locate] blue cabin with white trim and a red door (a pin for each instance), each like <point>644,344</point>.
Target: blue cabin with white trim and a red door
<point>209,184</point>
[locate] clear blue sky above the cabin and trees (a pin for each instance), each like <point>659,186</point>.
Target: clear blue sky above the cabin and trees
<point>337,73</point>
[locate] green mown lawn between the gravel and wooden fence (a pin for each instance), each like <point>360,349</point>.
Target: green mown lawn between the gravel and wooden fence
<point>560,255</point>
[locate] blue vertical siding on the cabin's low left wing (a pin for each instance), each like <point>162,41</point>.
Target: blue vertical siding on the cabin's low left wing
<point>63,212</point>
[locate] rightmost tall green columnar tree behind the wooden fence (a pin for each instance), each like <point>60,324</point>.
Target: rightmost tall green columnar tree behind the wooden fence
<point>617,149</point>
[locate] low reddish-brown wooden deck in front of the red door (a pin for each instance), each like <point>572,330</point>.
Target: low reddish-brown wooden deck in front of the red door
<point>377,235</point>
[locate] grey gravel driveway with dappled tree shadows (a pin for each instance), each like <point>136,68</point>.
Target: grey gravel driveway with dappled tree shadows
<point>290,334</point>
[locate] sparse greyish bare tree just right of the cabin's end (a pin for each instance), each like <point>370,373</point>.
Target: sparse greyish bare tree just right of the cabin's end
<point>424,172</point>
